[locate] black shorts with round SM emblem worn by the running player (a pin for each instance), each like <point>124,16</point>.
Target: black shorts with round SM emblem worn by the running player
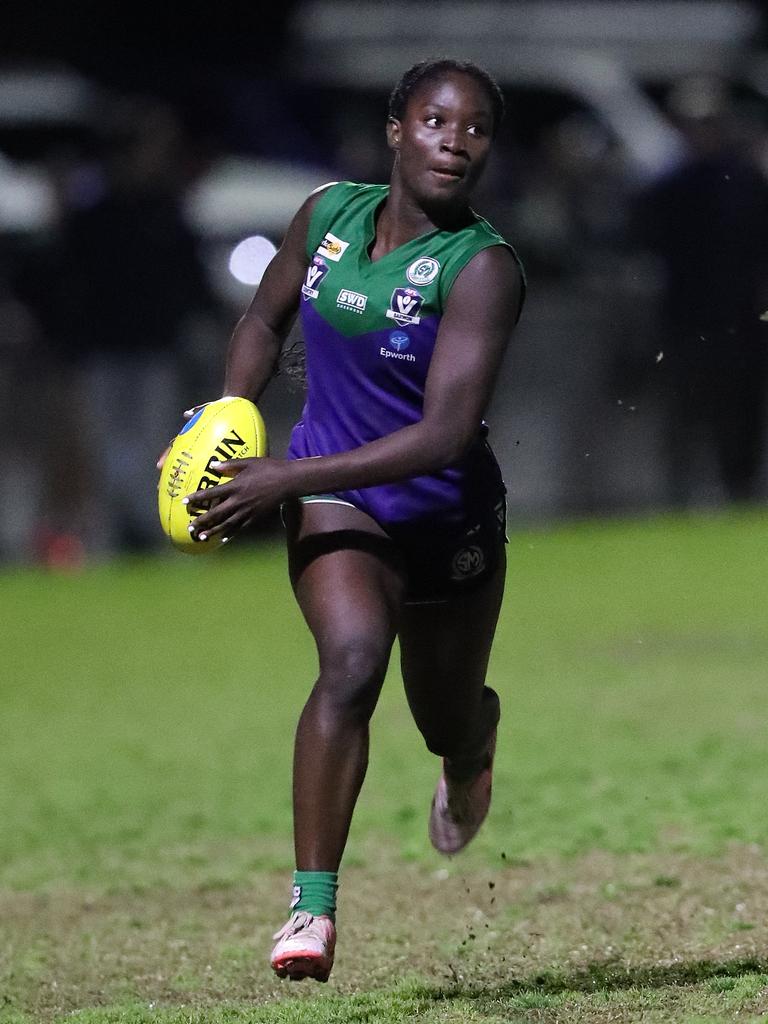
<point>440,562</point>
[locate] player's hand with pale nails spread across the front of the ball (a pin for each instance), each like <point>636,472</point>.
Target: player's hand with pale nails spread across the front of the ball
<point>258,488</point>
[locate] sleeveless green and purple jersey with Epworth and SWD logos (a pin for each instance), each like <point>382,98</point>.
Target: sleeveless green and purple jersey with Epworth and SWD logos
<point>370,329</point>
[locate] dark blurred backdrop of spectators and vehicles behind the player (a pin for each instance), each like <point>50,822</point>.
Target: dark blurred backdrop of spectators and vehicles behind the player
<point>151,161</point>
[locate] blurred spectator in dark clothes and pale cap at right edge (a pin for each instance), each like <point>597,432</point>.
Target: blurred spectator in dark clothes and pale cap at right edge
<point>707,223</point>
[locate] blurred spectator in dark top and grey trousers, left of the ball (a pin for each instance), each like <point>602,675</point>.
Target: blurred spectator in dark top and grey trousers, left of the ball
<point>116,293</point>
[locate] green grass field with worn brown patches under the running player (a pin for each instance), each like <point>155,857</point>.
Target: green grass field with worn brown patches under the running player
<point>147,714</point>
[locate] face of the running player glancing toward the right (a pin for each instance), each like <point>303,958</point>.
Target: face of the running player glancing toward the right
<point>444,139</point>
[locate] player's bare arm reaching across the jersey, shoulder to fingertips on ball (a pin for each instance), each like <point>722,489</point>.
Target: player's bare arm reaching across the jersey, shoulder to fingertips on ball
<point>476,328</point>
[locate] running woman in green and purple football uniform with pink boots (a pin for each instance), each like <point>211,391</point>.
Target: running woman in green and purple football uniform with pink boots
<point>393,500</point>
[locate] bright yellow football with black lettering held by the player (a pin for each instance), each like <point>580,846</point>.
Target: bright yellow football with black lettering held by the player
<point>221,432</point>
